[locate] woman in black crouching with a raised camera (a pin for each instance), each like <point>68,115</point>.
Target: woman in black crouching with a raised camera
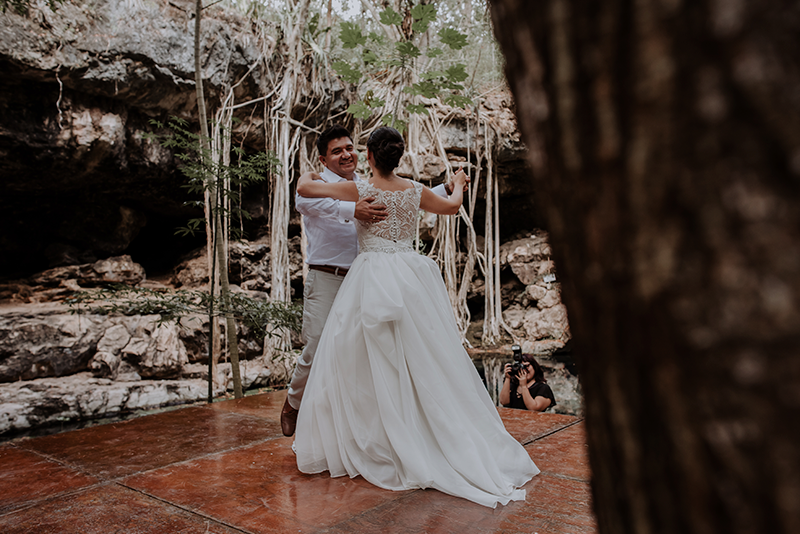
<point>524,386</point>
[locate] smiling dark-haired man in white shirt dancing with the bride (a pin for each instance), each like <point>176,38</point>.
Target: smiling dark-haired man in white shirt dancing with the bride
<point>332,247</point>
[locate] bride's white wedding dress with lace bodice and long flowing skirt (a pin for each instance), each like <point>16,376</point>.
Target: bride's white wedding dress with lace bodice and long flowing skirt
<point>392,395</point>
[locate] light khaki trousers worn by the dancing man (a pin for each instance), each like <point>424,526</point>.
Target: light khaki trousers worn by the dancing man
<point>318,295</point>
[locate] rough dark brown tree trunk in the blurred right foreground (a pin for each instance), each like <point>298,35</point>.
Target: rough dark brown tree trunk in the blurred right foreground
<point>664,136</point>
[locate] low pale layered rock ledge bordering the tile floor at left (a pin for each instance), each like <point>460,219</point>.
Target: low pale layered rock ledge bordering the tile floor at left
<point>56,366</point>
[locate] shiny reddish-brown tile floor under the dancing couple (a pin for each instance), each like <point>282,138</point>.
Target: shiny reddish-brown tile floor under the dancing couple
<point>226,468</point>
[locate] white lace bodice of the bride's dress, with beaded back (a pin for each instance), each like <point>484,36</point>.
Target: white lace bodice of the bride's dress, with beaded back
<point>395,233</point>
